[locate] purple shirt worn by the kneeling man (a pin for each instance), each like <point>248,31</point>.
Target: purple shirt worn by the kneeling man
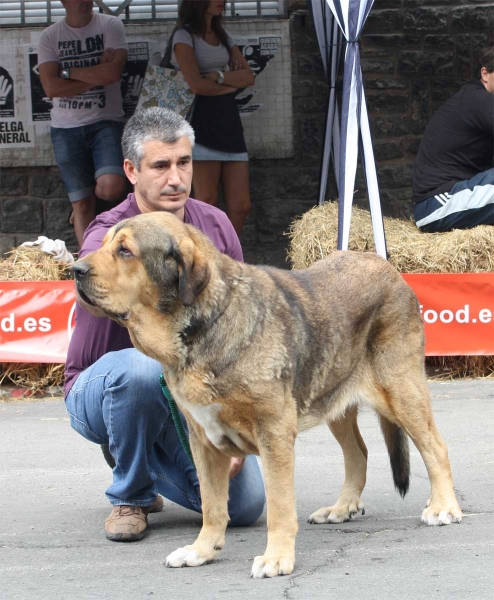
<point>95,336</point>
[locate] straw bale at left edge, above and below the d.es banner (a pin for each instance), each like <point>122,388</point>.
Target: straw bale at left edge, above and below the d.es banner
<point>28,263</point>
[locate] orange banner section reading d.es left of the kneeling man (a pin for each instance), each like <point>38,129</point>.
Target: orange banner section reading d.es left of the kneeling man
<point>36,320</point>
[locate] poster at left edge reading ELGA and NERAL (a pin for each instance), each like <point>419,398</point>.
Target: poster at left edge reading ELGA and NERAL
<point>16,131</point>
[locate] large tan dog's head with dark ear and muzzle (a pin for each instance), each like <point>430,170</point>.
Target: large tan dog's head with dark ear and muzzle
<point>152,260</point>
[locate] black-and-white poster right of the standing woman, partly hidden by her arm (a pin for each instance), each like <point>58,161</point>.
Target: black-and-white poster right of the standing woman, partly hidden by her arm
<point>258,51</point>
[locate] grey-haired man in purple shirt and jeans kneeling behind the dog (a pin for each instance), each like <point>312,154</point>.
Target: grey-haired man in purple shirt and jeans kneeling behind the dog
<point>113,393</point>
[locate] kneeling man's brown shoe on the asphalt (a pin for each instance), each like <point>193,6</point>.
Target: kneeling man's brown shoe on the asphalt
<point>129,523</point>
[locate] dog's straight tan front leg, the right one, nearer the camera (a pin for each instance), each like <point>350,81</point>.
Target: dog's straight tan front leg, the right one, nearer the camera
<point>278,457</point>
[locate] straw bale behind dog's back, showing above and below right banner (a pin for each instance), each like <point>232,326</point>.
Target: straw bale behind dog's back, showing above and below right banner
<point>315,235</point>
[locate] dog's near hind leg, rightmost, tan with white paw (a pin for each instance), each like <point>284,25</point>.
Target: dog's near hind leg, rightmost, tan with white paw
<point>405,401</point>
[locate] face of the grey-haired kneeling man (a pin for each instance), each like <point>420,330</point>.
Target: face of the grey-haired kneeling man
<point>164,178</point>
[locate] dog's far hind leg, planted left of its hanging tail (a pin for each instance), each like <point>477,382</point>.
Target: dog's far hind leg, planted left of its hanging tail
<point>347,434</point>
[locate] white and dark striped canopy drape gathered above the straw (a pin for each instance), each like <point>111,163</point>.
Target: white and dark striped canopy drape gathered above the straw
<point>351,16</point>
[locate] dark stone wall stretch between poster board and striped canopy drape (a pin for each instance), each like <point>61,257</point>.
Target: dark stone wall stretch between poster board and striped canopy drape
<point>286,188</point>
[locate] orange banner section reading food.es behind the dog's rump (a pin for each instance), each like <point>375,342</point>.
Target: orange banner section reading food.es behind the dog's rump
<point>457,310</point>
